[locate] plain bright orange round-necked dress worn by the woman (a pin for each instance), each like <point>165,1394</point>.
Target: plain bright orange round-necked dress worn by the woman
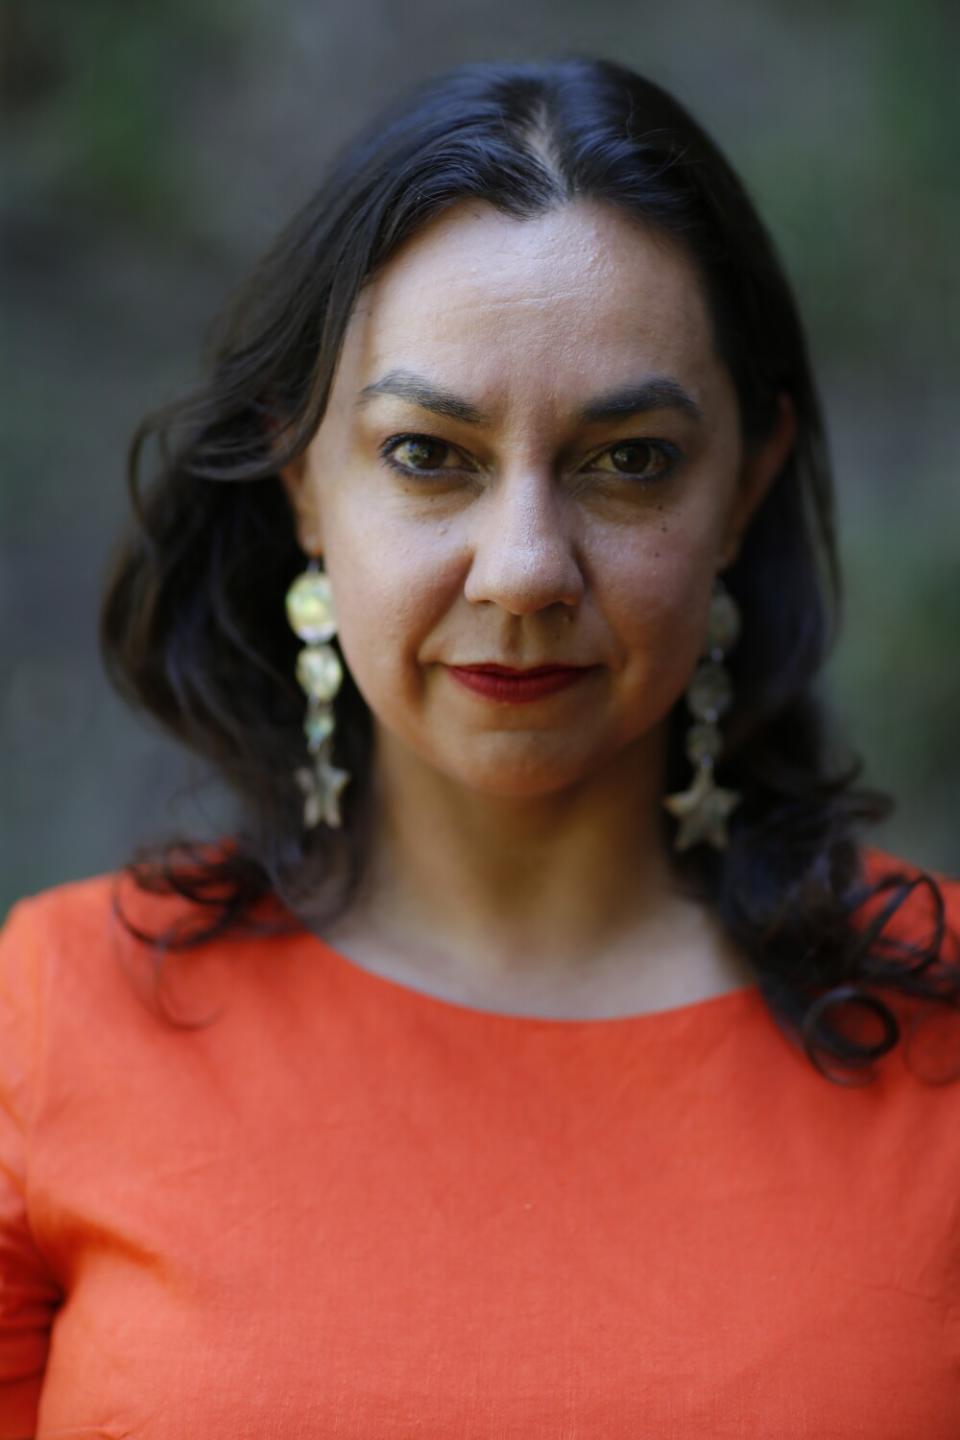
<point>348,1210</point>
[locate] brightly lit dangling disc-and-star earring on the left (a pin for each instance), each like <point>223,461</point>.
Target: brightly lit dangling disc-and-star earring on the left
<point>310,611</point>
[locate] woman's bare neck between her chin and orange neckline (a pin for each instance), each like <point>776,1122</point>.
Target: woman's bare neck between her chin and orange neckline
<point>510,886</point>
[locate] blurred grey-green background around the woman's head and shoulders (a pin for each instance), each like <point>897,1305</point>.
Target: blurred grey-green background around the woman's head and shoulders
<point>152,150</point>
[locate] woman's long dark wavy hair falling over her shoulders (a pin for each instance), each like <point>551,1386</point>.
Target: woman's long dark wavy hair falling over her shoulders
<point>194,624</point>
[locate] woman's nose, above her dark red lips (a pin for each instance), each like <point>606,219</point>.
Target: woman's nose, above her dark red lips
<point>525,552</point>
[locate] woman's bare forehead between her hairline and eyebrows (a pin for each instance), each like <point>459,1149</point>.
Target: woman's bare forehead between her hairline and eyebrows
<point>574,297</point>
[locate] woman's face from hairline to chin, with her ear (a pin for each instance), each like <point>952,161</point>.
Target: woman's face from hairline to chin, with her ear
<point>530,457</point>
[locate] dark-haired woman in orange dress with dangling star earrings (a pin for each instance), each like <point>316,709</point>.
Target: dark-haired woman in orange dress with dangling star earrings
<point>503,1072</point>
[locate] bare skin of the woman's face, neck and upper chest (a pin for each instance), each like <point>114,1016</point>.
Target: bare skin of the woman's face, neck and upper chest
<point>517,862</point>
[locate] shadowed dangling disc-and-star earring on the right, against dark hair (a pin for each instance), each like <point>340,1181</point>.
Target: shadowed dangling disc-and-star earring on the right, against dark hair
<point>703,810</point>
